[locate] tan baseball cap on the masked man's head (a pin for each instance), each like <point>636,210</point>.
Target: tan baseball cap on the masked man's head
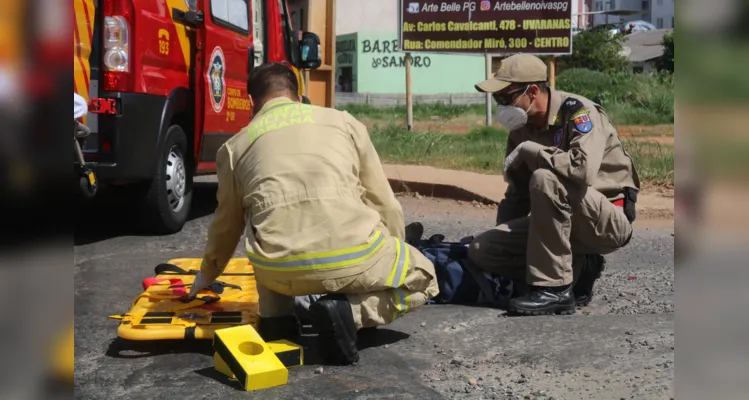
<point>520,68</point>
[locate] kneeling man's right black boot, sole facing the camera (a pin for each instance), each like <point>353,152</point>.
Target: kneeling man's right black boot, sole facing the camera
<point>333,320</point>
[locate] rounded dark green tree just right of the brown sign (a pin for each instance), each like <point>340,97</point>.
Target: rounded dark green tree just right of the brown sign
<point>596,50</point>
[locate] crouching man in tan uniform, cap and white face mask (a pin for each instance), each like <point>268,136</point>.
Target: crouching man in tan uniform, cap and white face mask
<point>567,168</point>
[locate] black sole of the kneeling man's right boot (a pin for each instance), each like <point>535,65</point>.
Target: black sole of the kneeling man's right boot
<point>334,335</point>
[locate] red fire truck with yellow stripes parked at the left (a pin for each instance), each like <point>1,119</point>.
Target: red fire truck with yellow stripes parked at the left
<point>166,82</point>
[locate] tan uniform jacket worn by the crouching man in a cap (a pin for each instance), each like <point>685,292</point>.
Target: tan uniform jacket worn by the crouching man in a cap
<point>580,144</point>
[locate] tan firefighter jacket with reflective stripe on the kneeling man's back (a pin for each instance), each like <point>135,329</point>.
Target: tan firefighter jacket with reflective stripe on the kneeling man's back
<point>306,186</point>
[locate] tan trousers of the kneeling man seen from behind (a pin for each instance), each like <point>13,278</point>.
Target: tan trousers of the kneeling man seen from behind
<point>383,292</point>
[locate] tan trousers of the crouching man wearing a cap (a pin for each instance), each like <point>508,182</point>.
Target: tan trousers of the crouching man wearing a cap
<point>564,220</point>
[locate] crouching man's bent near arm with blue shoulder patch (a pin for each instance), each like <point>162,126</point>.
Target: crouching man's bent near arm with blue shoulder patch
<point>580,164</point>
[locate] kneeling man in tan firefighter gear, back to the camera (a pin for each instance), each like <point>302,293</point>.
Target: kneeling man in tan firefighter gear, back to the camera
<point>306,187</point>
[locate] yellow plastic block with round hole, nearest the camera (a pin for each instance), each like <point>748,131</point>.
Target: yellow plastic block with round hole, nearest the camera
<point>249,358</point>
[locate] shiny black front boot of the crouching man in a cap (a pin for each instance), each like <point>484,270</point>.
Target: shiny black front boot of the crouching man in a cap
<point>544,301</point>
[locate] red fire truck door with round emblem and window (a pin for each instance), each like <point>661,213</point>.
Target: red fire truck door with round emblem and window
<point>221,74</point>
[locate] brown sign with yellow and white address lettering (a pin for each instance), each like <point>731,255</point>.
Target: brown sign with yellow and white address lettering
<point>541,27</point>
